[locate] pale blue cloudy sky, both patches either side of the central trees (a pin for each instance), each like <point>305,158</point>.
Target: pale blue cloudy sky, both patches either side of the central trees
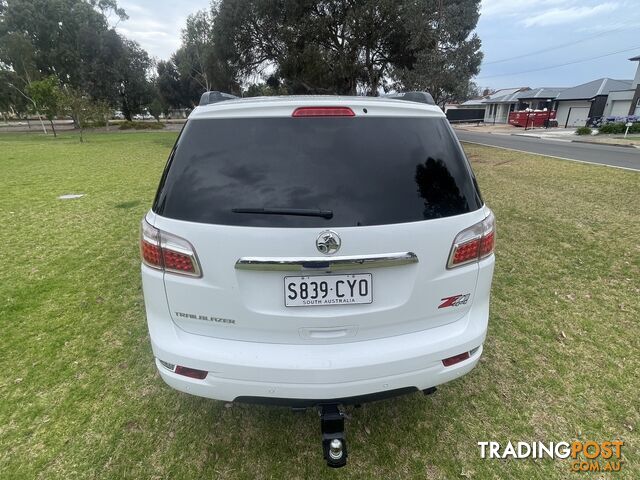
<point>531,43</point>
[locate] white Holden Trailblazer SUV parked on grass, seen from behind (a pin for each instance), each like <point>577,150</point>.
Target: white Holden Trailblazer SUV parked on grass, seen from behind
<point>313,250</point>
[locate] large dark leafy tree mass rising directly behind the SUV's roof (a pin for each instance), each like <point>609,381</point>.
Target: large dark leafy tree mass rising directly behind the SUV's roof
<point>349,46</point>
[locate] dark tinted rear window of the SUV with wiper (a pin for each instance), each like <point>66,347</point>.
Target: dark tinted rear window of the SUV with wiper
<point>365,171</point>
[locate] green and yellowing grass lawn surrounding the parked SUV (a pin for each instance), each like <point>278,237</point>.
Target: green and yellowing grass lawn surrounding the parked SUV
<point>80,397</point>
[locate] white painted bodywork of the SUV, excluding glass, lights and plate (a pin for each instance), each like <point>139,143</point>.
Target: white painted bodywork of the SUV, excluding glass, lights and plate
<point>259,347</point>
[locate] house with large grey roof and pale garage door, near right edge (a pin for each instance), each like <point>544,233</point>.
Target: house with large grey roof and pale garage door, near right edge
<point>577,105</point>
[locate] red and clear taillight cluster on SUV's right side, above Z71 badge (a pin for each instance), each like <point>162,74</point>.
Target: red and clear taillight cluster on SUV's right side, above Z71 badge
<point>474,243</point>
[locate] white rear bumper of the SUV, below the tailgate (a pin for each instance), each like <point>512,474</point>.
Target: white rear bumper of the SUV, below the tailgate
<point>316,372</point>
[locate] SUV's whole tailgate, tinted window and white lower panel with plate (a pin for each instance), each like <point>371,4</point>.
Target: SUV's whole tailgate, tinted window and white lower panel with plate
<point>398,189</point>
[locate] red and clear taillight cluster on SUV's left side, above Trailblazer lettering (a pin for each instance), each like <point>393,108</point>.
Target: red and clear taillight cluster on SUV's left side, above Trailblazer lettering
<point>167,252</point>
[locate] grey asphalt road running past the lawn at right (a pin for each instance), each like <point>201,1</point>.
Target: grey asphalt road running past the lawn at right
<point>621,157</point>
